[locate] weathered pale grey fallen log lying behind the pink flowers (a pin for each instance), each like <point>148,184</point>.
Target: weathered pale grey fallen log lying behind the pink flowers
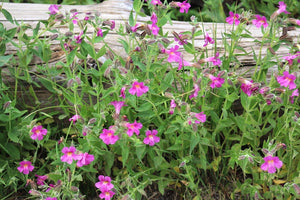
<point>118,10</point>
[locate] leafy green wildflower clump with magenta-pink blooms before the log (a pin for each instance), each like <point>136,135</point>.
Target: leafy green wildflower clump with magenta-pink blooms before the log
<point>152,118</point>
